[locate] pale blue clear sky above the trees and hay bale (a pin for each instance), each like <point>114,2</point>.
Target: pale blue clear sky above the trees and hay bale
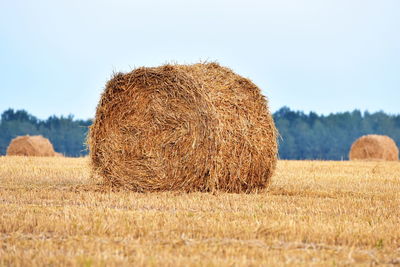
<point>311,55</point>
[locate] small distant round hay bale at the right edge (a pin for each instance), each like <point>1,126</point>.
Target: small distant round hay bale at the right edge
<point>374,147</point>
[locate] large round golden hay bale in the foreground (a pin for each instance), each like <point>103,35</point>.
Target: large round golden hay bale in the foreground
<point>183,127</point>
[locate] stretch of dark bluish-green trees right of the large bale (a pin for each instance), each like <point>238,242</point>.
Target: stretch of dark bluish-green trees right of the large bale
<point>313,136</point>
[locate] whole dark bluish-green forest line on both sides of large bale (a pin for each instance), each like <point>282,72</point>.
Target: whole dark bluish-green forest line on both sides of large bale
<point>302,136</point>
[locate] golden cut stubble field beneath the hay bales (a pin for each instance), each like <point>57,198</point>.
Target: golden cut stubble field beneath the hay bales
<point>315,213</point>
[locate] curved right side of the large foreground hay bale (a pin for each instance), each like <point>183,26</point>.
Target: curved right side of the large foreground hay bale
<point>246,135</point>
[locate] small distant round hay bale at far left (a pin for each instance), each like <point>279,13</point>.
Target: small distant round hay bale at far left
<point>30,146</point>
